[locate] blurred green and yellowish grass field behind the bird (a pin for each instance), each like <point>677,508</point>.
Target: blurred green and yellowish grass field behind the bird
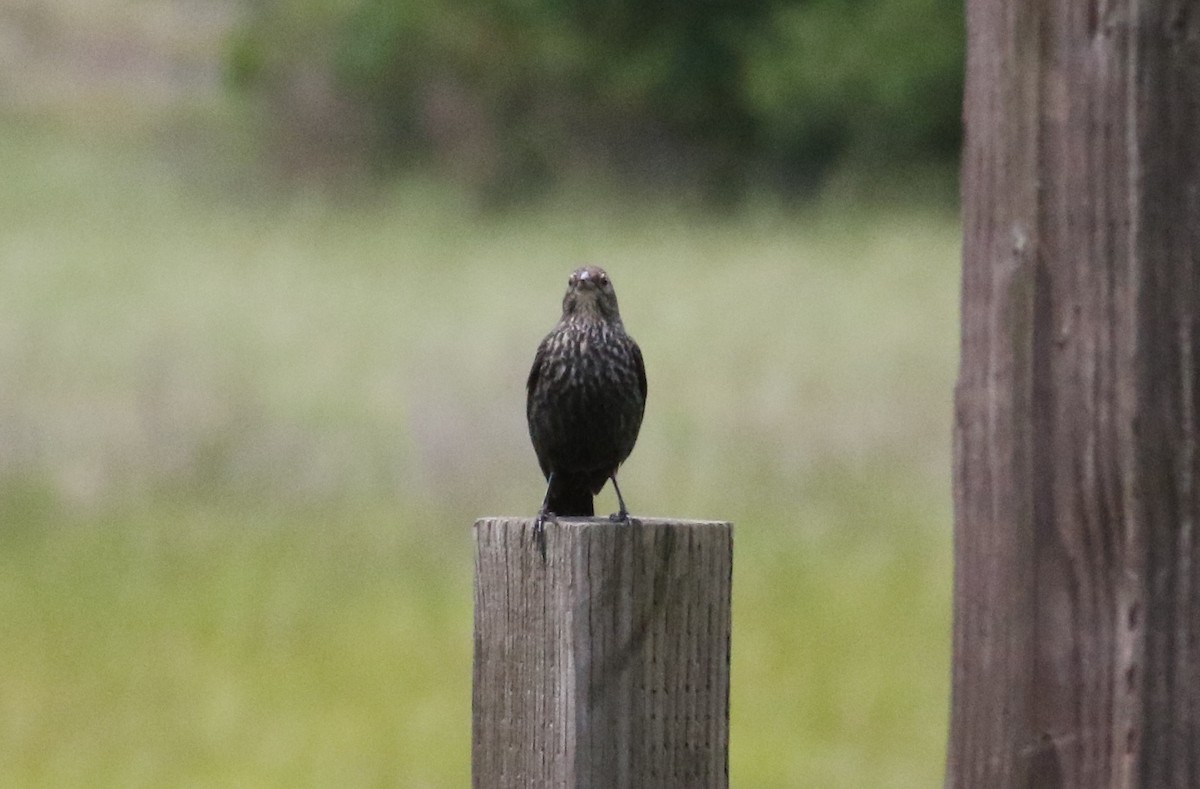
<point>244,435</point>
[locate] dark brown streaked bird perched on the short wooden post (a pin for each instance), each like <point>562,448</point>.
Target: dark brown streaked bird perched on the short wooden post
<point>585,400</point>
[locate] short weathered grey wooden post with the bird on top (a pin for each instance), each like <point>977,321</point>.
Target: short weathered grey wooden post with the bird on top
<point>605,666</point>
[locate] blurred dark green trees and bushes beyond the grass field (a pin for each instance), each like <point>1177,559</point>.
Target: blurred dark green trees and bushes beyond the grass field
<point>514,95</point>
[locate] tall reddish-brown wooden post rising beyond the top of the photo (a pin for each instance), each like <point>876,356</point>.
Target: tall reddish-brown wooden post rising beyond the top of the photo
<point>1077,634</point>
